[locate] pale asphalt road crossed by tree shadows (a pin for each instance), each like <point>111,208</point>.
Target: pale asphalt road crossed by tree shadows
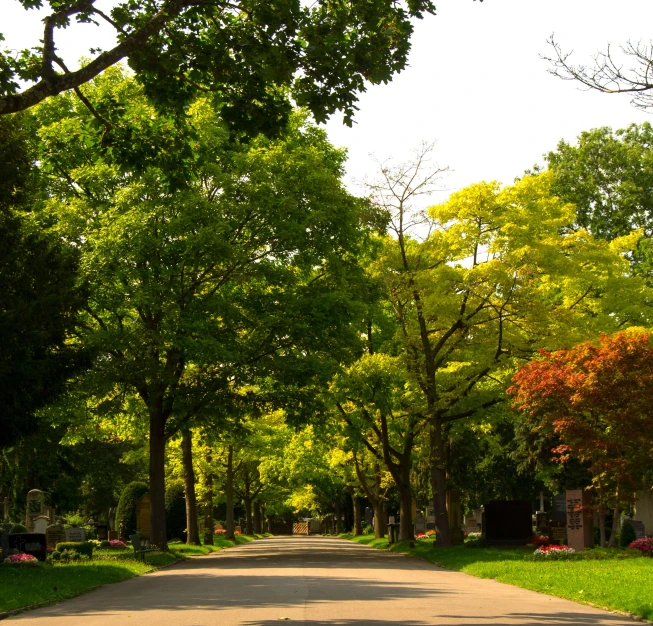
<point>311,581</point>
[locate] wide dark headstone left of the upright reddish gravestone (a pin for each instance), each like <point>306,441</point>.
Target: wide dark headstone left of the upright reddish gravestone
<point>508,522</point>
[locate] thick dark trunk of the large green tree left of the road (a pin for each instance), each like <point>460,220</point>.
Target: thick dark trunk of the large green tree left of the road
<point>158,532</point>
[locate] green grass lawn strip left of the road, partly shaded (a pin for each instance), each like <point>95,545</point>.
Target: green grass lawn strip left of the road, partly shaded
<point>23,586</point>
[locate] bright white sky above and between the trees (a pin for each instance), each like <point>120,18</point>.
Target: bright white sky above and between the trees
<point>475,83</point>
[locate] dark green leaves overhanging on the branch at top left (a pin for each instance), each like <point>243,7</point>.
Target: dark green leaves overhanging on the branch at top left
<point>255,59</point>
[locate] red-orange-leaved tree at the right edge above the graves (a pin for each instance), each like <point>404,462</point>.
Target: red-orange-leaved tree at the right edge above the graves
<point>598,401</point>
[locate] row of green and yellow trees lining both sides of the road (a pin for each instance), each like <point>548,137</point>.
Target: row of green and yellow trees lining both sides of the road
<point>200,296</point>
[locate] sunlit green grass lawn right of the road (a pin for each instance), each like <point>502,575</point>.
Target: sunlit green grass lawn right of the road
<point>616,583</point>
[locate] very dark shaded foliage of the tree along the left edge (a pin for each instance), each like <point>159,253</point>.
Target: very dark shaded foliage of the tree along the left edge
<point>39,295</point>
